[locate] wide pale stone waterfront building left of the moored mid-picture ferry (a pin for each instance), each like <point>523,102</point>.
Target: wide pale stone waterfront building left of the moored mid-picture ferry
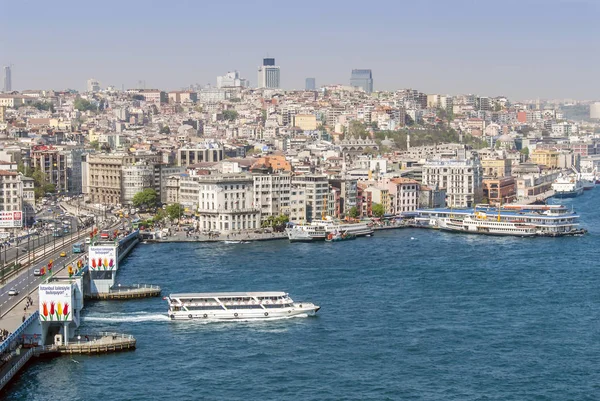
<point>225,203</point>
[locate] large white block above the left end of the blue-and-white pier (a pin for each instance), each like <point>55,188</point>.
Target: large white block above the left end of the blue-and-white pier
<point>462,180</point>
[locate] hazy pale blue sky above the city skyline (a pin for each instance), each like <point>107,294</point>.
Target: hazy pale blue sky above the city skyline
<point>518,48</point>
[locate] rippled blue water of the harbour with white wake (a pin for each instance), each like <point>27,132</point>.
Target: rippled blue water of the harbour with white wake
<point>407,314</point>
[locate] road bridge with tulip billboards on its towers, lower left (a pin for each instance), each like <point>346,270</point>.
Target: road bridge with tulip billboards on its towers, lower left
<point>53,328</point>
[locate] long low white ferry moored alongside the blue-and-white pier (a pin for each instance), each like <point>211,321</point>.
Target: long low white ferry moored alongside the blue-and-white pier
<point>487,227</point>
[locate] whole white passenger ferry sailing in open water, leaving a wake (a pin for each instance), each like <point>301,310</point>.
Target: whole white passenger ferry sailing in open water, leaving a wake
<point>236,306</point>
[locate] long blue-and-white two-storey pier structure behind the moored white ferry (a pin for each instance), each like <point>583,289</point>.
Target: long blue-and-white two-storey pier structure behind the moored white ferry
<point>548,220</point>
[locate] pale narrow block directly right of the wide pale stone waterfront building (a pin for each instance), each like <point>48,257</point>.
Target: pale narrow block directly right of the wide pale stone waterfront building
<point>272,194</point>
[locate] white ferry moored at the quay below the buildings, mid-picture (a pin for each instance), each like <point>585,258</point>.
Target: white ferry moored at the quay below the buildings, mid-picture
<point>317,230</point>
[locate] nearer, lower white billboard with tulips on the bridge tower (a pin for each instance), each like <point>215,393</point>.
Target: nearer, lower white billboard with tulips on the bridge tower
<point>56,302</point>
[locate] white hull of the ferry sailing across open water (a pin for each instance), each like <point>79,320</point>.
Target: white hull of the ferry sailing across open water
<point>298,309</point>
